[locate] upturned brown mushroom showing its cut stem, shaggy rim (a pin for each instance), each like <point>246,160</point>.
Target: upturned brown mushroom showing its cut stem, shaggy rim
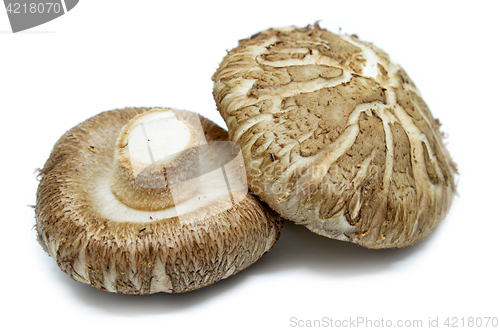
<point>137,201</point>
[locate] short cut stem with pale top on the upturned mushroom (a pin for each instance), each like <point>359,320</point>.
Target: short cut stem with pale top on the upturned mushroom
<point>155,154</point>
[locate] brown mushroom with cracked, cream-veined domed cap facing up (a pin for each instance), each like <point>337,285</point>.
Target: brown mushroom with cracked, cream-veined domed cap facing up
<point>335,136</point>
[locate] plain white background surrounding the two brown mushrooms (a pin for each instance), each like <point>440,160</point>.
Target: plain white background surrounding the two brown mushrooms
<point>110,54</point>
